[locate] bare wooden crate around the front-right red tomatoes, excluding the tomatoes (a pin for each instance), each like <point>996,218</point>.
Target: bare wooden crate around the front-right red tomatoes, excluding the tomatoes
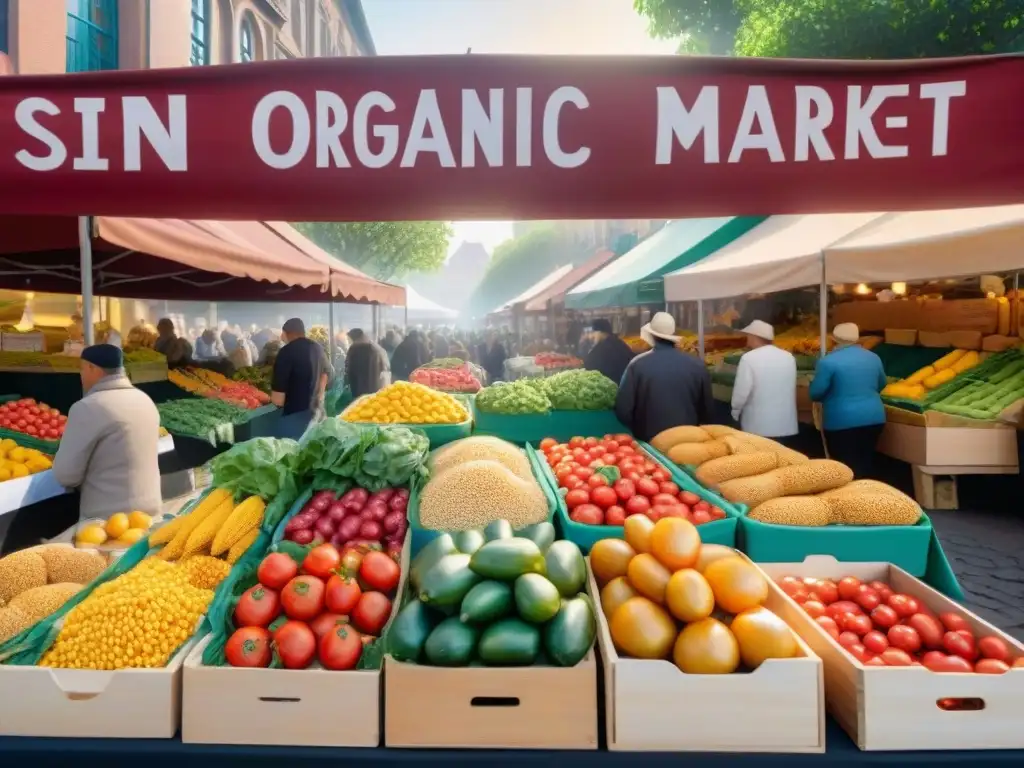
<point>898,708</point>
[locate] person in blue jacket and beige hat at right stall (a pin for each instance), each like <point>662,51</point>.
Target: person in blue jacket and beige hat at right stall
<point>848,383</point>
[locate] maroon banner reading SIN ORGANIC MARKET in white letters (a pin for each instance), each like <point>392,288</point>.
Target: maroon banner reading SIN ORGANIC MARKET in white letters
<point>503,138</point>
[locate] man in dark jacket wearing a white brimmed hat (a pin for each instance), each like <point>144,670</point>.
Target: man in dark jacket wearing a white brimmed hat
<point>665,388</point>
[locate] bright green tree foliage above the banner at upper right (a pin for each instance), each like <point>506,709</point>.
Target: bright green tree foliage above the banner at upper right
<point>840,29</point>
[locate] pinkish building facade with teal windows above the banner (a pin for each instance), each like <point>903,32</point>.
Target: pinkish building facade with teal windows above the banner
<point>55,36</point>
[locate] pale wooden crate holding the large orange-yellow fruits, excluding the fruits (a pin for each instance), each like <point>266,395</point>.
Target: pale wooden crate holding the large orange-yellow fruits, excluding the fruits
<point>652,706</point>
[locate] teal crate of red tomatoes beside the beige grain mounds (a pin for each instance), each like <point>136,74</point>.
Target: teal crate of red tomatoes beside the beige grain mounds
<point>601,482</point>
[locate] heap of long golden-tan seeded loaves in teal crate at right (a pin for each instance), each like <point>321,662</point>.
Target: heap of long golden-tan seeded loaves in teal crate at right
<point>781,487</point>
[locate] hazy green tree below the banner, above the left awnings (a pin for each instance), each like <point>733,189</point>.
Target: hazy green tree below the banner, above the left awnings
<point>387,250</point>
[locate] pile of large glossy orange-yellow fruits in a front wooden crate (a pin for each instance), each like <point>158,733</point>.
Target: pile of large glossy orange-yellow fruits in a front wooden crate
<point>665,595</point>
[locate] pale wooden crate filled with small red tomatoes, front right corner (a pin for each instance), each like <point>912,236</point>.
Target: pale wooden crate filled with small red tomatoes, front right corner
<point>906,667</point>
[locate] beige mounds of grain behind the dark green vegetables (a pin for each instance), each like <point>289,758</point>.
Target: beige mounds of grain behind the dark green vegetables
<point>478,481</point>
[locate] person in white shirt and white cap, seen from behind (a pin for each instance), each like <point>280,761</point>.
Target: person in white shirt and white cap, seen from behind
<point>764,398</point>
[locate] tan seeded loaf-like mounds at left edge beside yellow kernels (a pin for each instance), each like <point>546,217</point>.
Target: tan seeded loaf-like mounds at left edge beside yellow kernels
<point>36,582</point>
